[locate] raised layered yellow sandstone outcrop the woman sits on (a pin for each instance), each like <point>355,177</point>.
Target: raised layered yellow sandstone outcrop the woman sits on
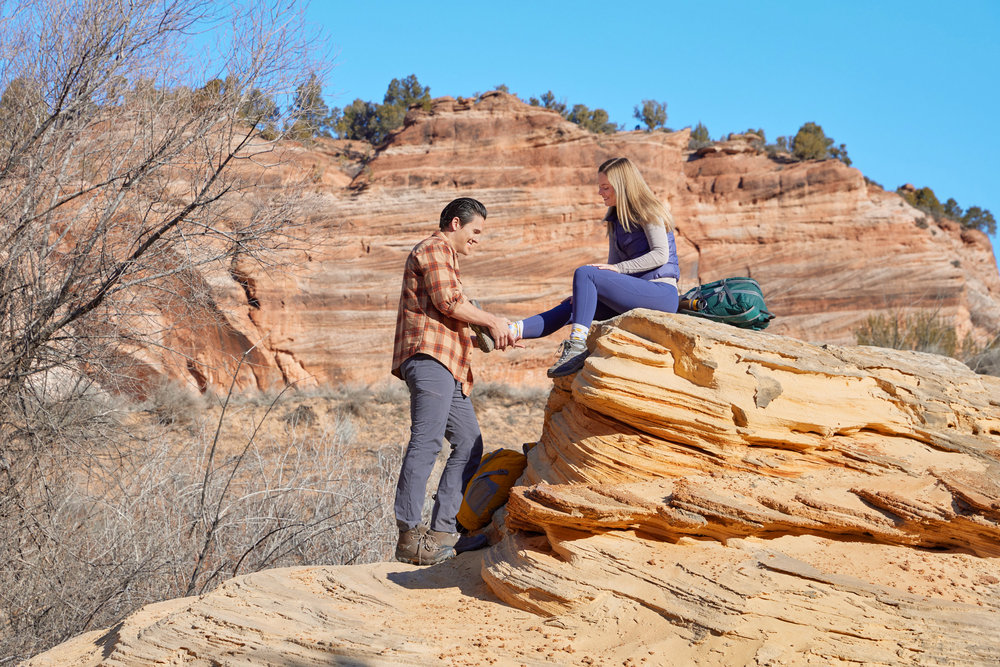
<point>809,504</point>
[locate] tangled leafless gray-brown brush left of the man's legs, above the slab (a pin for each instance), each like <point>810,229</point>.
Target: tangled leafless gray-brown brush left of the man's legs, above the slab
<point>106,529</point>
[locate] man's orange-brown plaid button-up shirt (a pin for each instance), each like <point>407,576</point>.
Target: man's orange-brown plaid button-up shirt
<point>431,291</point>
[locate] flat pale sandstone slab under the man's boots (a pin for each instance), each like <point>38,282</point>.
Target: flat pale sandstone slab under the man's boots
<point>383,614</point>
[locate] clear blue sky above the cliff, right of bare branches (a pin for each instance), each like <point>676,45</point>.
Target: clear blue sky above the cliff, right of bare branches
<point>910,87</point>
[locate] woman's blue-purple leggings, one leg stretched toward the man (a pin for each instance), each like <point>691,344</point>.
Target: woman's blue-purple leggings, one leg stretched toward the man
<point>600,294</point>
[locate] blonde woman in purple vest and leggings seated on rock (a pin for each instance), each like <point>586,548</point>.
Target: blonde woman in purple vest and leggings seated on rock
<point>641,271</point>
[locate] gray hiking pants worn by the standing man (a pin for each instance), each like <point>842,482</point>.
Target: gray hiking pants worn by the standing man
<point>438,410</point>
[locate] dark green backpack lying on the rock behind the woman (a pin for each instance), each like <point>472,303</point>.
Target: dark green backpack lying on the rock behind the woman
<point>736,301</point>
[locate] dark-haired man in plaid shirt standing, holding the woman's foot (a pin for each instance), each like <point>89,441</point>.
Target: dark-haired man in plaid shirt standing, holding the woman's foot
<point>432,354</point>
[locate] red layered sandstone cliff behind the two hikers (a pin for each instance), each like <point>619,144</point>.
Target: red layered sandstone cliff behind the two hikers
<point>828,247</point>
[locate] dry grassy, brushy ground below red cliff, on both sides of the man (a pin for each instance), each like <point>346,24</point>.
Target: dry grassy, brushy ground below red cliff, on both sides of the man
<point>143,509</point>
